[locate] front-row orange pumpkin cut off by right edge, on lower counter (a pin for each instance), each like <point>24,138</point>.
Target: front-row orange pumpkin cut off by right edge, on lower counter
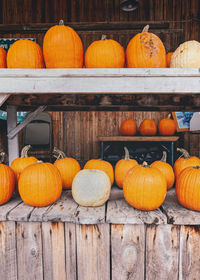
<point>188,188</point>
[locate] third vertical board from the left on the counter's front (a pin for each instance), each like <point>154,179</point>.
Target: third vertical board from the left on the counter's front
<point>53,251</point>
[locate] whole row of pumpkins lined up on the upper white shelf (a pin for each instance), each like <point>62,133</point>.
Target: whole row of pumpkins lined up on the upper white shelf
<point>62,48</point>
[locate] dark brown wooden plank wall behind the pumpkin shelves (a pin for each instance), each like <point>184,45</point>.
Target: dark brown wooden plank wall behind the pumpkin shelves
<point>77,132</point>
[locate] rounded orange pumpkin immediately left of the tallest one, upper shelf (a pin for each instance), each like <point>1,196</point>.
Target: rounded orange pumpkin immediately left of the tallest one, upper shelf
<point>25,54</point>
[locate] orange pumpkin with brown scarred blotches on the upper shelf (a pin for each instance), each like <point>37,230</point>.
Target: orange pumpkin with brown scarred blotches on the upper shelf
<point>145,50</point>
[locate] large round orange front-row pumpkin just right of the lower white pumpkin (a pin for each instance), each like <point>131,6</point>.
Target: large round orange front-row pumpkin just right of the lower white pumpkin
<point>145,187</point>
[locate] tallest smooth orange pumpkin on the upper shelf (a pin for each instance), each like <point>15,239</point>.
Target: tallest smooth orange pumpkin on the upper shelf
<point>62,47</point>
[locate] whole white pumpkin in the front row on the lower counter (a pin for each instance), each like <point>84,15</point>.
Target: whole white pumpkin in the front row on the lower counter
<point>91,187</point>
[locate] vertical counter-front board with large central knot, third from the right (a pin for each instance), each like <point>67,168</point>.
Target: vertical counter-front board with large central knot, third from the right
<point>128,252</point>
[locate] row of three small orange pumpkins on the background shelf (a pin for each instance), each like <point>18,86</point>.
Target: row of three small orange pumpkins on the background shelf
<point>166,127</point>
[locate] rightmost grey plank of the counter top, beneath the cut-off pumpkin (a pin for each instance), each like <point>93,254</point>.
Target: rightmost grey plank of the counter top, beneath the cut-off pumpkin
<point>177,214</point>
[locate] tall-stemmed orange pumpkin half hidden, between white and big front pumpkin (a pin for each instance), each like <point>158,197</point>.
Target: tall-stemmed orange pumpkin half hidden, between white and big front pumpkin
<point>122,167</point>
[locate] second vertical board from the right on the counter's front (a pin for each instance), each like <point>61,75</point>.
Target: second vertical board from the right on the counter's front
<point>162,252</point>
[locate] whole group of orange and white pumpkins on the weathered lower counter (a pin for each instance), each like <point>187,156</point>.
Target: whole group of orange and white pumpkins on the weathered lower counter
<point>144,186</point>
